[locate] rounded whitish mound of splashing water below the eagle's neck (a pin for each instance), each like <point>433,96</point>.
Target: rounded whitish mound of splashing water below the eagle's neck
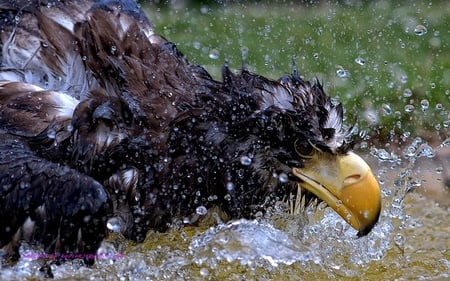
<point>250,243</point>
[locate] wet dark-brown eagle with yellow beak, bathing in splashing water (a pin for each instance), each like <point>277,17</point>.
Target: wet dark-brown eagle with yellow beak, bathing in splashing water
<point>105,126</point>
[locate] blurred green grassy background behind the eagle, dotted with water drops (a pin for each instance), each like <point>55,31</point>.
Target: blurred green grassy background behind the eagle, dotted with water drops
<point>388,62</point>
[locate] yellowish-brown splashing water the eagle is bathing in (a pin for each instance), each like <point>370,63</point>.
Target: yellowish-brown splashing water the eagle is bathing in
<point>411,241</point>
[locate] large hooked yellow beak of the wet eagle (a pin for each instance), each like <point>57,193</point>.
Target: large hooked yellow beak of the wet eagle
<point>347,185</point>
